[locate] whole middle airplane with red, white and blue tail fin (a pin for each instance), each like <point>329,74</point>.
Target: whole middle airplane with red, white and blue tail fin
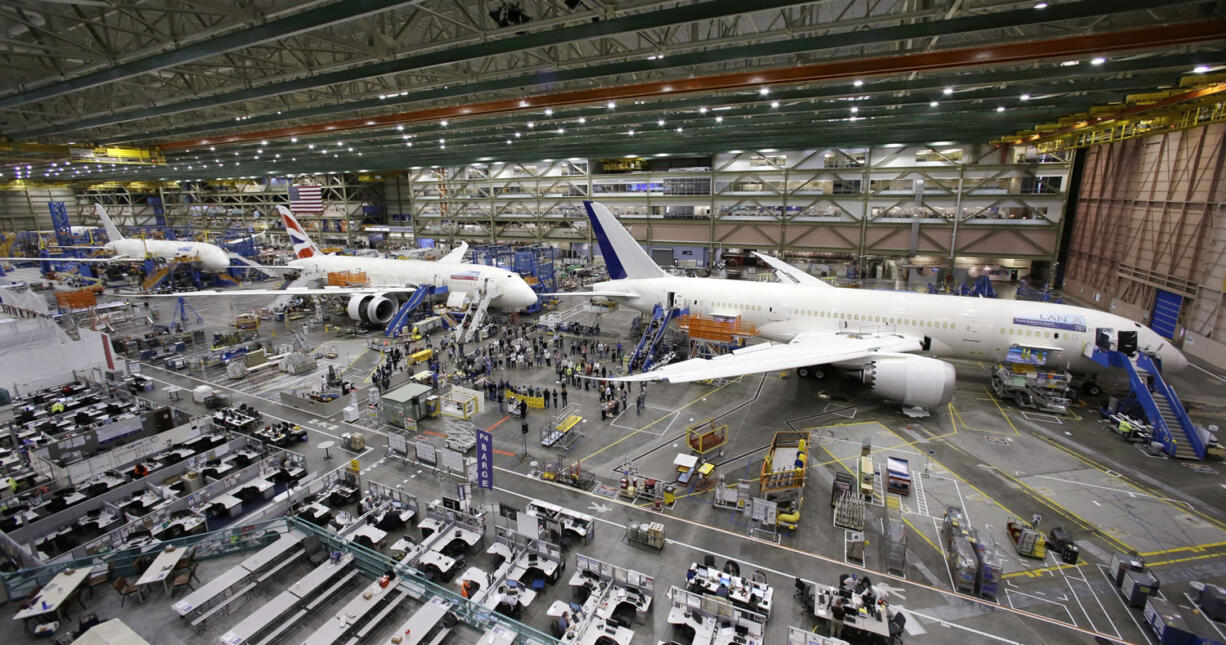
<point>392,280</point>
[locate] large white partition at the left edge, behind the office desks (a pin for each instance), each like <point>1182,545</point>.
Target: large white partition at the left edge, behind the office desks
<point>35,353</point>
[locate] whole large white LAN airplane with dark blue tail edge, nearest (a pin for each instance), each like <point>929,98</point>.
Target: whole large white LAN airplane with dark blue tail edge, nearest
<point>880,335</point>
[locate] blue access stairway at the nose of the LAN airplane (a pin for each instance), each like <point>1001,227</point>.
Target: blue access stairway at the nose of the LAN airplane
<point>1173,427</point>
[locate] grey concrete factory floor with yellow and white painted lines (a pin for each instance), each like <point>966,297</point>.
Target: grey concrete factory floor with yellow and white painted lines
<point>981,454</point>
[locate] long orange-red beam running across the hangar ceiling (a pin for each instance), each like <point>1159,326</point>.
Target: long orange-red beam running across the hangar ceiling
<point>1054,48</point>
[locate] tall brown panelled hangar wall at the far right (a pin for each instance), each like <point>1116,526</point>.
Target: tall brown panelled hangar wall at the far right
<point>1151,225</point>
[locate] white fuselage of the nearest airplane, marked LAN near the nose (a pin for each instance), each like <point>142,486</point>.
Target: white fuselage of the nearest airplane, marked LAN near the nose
<point>957,327</point>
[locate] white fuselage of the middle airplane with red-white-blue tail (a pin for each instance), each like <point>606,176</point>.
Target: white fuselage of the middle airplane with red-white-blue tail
<point>513,292</point>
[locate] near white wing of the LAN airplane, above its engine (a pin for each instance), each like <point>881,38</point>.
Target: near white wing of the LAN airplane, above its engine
<point>807,349</point>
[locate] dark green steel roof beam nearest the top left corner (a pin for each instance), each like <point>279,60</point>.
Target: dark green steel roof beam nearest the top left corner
<point>310,20</point>
